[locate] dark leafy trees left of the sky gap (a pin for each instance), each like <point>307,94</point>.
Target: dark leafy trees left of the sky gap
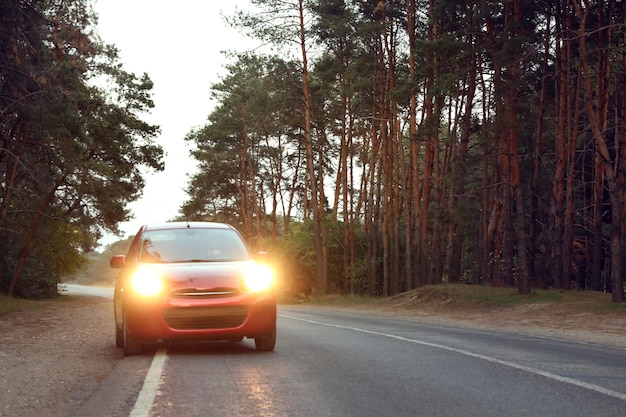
<point>72,142</point>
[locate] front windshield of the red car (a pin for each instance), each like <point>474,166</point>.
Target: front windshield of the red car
<point>192,245</point>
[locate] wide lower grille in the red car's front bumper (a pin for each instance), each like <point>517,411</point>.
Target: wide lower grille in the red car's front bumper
<point>197,318</point>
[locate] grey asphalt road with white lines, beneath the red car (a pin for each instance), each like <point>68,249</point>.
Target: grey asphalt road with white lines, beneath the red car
<point>333,363</point>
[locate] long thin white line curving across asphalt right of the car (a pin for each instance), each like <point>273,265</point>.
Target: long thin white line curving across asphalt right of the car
<point>572,381</point>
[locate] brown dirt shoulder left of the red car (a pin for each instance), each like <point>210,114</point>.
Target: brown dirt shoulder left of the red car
<point>52,359</point>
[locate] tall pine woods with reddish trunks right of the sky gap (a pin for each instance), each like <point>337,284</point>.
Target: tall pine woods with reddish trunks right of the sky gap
<point>385,145</point>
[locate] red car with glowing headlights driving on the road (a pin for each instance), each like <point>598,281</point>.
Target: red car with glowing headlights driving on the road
<point>192,281</point>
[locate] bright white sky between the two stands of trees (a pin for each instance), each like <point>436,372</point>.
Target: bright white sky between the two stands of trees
<point>179,45</point>
